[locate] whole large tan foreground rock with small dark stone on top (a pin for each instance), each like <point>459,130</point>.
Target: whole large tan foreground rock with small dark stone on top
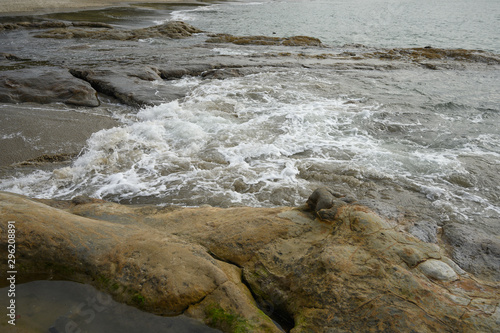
<point>345,271</point>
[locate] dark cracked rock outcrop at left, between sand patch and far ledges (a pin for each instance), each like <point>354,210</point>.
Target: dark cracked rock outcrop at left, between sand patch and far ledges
<point>135,86</point>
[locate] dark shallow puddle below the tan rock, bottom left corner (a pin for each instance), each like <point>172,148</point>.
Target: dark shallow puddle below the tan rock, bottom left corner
<point>62,306</point>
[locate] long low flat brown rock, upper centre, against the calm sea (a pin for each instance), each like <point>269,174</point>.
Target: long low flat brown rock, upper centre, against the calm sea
<point>264,40</point>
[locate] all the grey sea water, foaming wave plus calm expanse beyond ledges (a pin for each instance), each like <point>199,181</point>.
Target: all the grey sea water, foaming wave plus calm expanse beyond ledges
<point>418,139</point>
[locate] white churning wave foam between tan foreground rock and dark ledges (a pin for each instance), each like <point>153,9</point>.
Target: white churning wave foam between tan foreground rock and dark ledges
<point>266,139</point>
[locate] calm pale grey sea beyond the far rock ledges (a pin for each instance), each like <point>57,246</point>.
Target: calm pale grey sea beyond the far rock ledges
<point>468,24</point>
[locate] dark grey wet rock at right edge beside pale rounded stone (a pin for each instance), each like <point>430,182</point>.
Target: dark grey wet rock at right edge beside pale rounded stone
<point>474,250</point>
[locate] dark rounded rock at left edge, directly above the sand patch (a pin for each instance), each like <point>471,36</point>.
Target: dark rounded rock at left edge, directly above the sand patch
<point>45,85</point>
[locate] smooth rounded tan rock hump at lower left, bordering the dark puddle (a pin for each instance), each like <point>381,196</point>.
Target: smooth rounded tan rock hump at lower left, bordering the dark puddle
<point>153,270</point>
